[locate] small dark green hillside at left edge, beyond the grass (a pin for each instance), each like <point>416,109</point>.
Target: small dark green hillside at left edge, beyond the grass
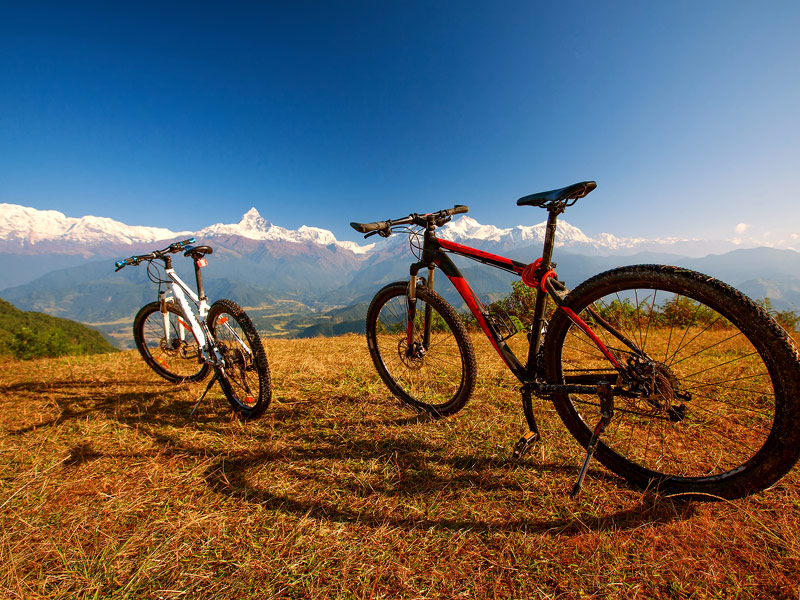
<point>68,336</point>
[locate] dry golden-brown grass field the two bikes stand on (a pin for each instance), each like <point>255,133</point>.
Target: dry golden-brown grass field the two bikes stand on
<point>110,490</point>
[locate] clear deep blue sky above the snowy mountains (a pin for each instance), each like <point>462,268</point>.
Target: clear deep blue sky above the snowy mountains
<point>181,115</point>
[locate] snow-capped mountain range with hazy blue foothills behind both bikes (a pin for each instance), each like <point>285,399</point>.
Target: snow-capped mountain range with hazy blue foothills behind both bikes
<point>64,266</point>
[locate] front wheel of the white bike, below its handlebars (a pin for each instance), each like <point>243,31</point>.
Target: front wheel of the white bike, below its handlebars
<point>171,351</point>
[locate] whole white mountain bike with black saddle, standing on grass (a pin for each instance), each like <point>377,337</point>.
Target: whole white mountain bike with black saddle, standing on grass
<point>181,338</point>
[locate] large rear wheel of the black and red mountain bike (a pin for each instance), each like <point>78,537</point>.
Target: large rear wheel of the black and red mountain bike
<point>716,381</point>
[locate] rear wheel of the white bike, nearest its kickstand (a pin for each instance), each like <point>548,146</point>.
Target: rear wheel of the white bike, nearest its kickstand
<point>245,377</point>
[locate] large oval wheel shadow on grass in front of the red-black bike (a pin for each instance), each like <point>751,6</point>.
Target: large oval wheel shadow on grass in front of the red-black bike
<point>423,490</point>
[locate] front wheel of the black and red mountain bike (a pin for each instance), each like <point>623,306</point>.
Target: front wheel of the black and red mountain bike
<point>437,377</point>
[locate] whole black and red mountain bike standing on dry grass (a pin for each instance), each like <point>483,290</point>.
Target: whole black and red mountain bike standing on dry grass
<point>671,378</point>
